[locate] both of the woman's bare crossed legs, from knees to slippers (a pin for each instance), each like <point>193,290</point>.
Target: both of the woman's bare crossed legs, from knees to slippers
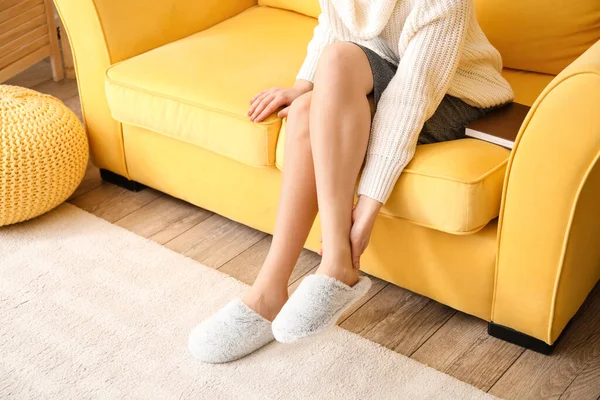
<point>341,135</point>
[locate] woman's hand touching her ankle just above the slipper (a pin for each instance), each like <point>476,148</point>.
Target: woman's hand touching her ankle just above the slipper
<point>363,220</point>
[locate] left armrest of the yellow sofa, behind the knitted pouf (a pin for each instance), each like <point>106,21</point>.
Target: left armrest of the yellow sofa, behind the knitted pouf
<point>104,32</point>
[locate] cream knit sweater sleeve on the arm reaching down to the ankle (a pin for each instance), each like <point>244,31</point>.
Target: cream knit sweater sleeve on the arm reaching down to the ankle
<point>433,39</point>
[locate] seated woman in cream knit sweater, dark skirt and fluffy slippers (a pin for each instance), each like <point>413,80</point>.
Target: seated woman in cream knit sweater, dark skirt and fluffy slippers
<point>380,76</point>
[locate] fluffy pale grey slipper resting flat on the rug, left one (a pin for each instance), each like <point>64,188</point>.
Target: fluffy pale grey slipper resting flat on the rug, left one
<point>231,333</point>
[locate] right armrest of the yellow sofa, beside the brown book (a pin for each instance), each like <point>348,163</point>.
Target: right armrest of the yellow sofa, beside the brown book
<point>548,249</point>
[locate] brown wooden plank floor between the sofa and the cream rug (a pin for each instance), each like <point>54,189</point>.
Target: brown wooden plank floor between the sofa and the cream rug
<point>410,324</point>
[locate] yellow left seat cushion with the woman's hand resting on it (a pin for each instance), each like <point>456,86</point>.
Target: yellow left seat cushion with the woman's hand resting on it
<point>197,89</point>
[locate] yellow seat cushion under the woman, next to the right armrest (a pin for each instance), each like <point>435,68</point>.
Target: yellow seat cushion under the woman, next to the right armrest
<point>454,187</point>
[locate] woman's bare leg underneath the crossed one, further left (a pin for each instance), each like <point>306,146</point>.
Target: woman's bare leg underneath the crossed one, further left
<point>295,215</point>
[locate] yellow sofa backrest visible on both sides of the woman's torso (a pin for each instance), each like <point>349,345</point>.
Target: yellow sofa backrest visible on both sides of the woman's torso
<point>532,35</point>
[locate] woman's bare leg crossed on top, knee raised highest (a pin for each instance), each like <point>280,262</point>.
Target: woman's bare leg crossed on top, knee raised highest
<point>340,120</point>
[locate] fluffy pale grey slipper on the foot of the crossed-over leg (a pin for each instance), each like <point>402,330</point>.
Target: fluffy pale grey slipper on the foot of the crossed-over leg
<point>316,306</point>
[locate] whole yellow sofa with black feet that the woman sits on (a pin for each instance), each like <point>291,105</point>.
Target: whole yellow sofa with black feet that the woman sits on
<point>165,87</point>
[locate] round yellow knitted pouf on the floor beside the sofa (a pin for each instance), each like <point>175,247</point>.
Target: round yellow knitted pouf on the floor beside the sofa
<point>43,153</point>
